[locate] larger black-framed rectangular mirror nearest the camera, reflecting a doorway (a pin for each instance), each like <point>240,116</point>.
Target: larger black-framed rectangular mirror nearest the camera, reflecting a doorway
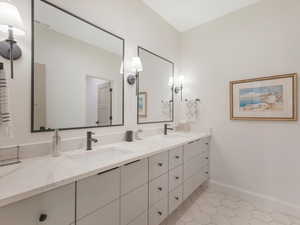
<point>76,77</point>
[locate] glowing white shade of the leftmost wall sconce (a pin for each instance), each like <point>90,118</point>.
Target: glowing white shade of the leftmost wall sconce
<point>10,19</point>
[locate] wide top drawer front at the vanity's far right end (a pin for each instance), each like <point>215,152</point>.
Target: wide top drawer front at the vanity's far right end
<point>195,148</point>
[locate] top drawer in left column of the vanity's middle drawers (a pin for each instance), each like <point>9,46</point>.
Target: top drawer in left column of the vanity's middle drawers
<point>158,165</point>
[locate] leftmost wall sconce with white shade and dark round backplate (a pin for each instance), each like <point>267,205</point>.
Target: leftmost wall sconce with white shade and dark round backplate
<point>10,23</point>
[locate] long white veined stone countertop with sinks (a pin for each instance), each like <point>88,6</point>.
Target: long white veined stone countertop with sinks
<point>37,175</point>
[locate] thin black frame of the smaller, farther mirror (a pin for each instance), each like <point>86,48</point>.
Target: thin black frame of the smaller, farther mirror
<point>138,88</point>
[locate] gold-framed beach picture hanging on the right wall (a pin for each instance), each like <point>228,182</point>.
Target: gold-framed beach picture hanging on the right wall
<point>266,98</point>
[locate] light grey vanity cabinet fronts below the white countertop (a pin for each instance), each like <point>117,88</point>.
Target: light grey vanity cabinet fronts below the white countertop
<point>142,192</point>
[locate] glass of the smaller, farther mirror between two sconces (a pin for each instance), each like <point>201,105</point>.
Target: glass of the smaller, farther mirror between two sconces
<point>155,96</point>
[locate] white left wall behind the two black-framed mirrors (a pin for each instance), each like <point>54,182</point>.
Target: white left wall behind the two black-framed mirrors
<point>130,19</point>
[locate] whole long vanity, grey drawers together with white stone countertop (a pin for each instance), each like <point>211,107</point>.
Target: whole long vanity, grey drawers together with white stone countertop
<point>138,183</point>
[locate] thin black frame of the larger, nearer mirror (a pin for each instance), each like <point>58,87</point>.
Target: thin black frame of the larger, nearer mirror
<point>32,67</point>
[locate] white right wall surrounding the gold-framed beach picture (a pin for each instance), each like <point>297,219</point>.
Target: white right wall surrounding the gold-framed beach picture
<point>261,40</point>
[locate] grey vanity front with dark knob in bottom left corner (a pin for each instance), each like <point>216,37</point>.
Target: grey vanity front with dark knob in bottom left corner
<point>54,207</point>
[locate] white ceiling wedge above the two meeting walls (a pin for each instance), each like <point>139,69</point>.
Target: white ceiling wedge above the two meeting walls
<point>187,14</point>
